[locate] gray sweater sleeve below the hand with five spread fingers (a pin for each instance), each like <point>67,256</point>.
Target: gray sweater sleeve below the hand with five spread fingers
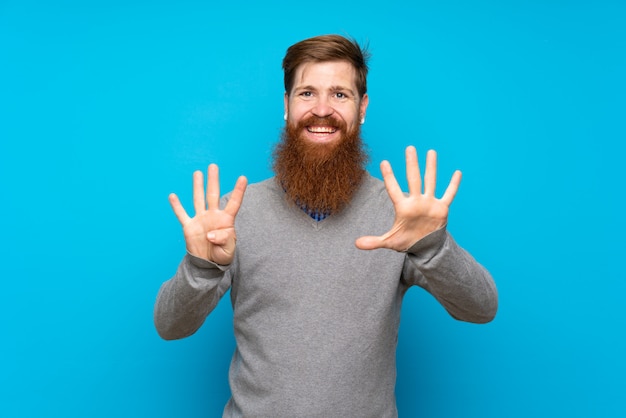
<point>464,287</point>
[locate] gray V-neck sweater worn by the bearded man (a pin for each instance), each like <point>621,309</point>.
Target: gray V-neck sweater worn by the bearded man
<point>316,319</point>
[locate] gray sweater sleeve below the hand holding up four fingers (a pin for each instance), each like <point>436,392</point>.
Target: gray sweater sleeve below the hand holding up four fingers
<point>184,301</point>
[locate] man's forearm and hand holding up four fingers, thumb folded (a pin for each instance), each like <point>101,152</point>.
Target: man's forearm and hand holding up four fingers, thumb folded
<point>185,300</point>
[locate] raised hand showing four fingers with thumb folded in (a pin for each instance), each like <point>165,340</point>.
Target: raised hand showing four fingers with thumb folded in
<point>210,234</point>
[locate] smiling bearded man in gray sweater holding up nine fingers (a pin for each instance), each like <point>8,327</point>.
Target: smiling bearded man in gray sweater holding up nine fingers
<point>319,257</point>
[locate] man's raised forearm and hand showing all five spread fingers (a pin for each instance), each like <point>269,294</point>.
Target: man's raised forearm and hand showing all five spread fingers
<point>434,260</point>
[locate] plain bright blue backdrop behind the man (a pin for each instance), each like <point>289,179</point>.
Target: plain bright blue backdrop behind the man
<point>107,107</point>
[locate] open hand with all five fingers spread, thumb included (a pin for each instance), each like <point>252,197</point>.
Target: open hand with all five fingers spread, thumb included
<point>417,214</point>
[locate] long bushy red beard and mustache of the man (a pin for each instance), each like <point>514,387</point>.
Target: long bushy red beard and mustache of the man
<point>318,176</point>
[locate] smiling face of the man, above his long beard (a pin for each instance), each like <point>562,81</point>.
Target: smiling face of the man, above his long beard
<point>324,101</point>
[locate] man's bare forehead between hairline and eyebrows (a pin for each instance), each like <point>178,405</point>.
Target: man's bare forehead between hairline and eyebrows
<point>327,73</point>
